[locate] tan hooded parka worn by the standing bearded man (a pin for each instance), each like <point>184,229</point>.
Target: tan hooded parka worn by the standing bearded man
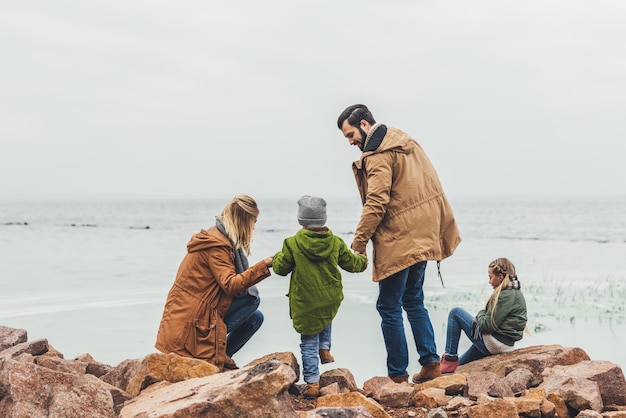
<point>405,213</point>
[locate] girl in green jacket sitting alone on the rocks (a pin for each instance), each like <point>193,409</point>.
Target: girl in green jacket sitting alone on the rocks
<point>494,329</point>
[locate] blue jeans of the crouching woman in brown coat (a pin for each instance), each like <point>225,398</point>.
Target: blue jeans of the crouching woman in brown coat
<point>242,320</point>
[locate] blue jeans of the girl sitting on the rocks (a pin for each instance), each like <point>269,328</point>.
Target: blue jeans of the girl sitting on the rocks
<point>459,319</point>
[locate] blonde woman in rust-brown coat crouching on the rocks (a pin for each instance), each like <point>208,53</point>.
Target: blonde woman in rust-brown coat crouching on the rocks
<point>211,310</point>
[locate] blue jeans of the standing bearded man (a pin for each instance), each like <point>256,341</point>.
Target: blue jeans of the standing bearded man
<point>405,290</point>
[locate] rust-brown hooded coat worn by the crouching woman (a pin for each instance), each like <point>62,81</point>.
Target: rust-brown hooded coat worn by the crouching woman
<point>193,318</point>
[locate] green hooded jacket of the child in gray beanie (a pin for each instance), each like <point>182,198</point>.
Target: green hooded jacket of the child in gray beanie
<point>315,289</point>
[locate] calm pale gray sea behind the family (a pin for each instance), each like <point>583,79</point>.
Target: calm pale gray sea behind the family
<point>92,276</point>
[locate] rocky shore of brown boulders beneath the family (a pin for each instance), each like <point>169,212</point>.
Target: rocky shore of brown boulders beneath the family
<point>539,381</point>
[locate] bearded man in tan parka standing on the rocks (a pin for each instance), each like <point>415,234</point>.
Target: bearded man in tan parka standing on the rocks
<point>408,218</point>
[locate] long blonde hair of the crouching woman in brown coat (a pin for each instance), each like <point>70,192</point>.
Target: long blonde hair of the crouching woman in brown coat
<point>239,217</point>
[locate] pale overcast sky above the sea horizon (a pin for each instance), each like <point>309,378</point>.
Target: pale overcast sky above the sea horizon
<point>211,99</point>
